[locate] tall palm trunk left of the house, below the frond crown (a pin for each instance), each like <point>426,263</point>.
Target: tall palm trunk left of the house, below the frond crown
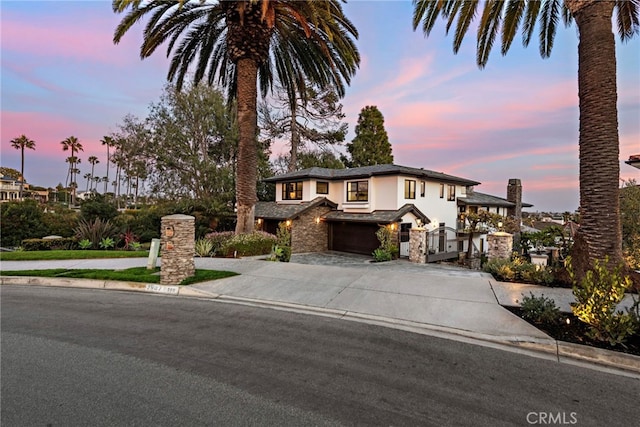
<point>246,174</point>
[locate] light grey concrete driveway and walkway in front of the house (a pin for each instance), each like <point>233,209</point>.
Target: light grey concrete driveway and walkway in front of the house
<point>437,300</point>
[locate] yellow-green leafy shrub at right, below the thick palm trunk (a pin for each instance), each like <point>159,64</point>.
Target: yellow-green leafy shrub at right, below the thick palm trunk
<point>597,297</point>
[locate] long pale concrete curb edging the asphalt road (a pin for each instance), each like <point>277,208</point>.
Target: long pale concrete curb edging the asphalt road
<point>560,351</point>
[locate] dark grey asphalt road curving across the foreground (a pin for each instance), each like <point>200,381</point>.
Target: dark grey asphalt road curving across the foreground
<point>86,357</point>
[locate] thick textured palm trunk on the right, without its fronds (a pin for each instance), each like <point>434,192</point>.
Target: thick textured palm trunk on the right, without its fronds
<point>600,231</point>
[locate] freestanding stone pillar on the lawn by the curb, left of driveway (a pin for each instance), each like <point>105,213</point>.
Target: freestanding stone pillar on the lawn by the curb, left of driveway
<point>178,248</point>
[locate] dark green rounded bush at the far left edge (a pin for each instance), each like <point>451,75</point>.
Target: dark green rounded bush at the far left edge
<point>19,221</point>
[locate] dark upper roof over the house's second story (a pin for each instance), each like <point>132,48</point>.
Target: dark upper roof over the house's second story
<point>368,171</point>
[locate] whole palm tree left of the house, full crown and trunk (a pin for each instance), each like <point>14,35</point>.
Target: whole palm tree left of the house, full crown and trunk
<point>243,44</point>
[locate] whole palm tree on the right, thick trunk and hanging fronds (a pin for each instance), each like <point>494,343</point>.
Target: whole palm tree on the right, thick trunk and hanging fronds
<point>600,231</point>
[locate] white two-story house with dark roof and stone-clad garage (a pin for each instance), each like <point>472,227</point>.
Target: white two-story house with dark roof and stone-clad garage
<point>342,209</point>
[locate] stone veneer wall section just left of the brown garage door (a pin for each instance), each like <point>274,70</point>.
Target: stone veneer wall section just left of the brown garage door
<point>307,235</point>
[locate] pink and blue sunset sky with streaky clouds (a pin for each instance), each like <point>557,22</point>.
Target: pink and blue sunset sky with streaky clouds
<point>518,118</point>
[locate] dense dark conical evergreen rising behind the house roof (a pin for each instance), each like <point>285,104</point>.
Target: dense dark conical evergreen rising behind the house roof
<point>371,144</point>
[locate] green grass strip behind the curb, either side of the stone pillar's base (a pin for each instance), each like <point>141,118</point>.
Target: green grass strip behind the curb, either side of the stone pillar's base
<point>135,274</point>
